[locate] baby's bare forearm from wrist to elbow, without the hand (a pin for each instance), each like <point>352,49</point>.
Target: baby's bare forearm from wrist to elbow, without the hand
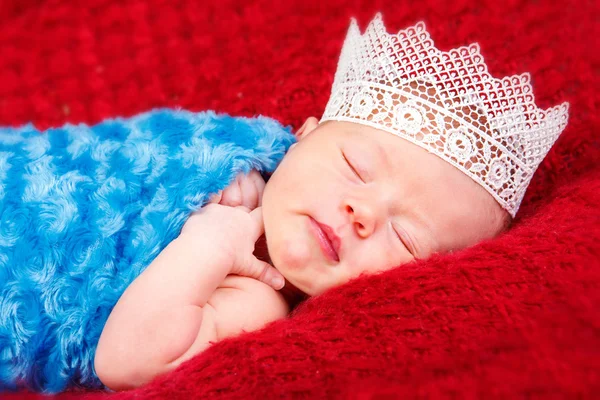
<point>159,316</point>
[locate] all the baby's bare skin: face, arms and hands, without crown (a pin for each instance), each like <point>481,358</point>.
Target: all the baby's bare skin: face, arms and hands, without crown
<point>389,202</point>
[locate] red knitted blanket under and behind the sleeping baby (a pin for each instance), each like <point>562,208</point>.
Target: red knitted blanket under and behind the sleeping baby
<point>511,317</point>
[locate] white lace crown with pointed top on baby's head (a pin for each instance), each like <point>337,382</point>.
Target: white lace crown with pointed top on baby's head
<point>446,103</point>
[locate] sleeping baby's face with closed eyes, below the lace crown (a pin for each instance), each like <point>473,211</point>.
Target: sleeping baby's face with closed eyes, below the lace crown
<point>385,200</point>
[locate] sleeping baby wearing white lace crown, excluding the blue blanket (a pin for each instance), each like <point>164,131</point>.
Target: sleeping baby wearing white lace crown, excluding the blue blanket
<point>418,152</point>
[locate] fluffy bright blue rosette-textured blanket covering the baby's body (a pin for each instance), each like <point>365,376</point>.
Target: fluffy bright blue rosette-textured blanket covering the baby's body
<point>83,210</point>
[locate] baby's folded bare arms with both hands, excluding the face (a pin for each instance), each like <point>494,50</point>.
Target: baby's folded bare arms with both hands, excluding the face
<point>188,297</point>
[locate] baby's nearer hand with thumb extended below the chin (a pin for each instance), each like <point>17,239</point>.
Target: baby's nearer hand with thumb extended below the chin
<point>234,231</point>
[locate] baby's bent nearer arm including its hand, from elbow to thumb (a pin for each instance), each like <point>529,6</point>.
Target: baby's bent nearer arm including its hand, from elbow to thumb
<point>164,317</point>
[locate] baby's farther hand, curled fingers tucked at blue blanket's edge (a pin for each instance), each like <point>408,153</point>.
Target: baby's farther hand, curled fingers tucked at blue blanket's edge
<point>245,191</point>
